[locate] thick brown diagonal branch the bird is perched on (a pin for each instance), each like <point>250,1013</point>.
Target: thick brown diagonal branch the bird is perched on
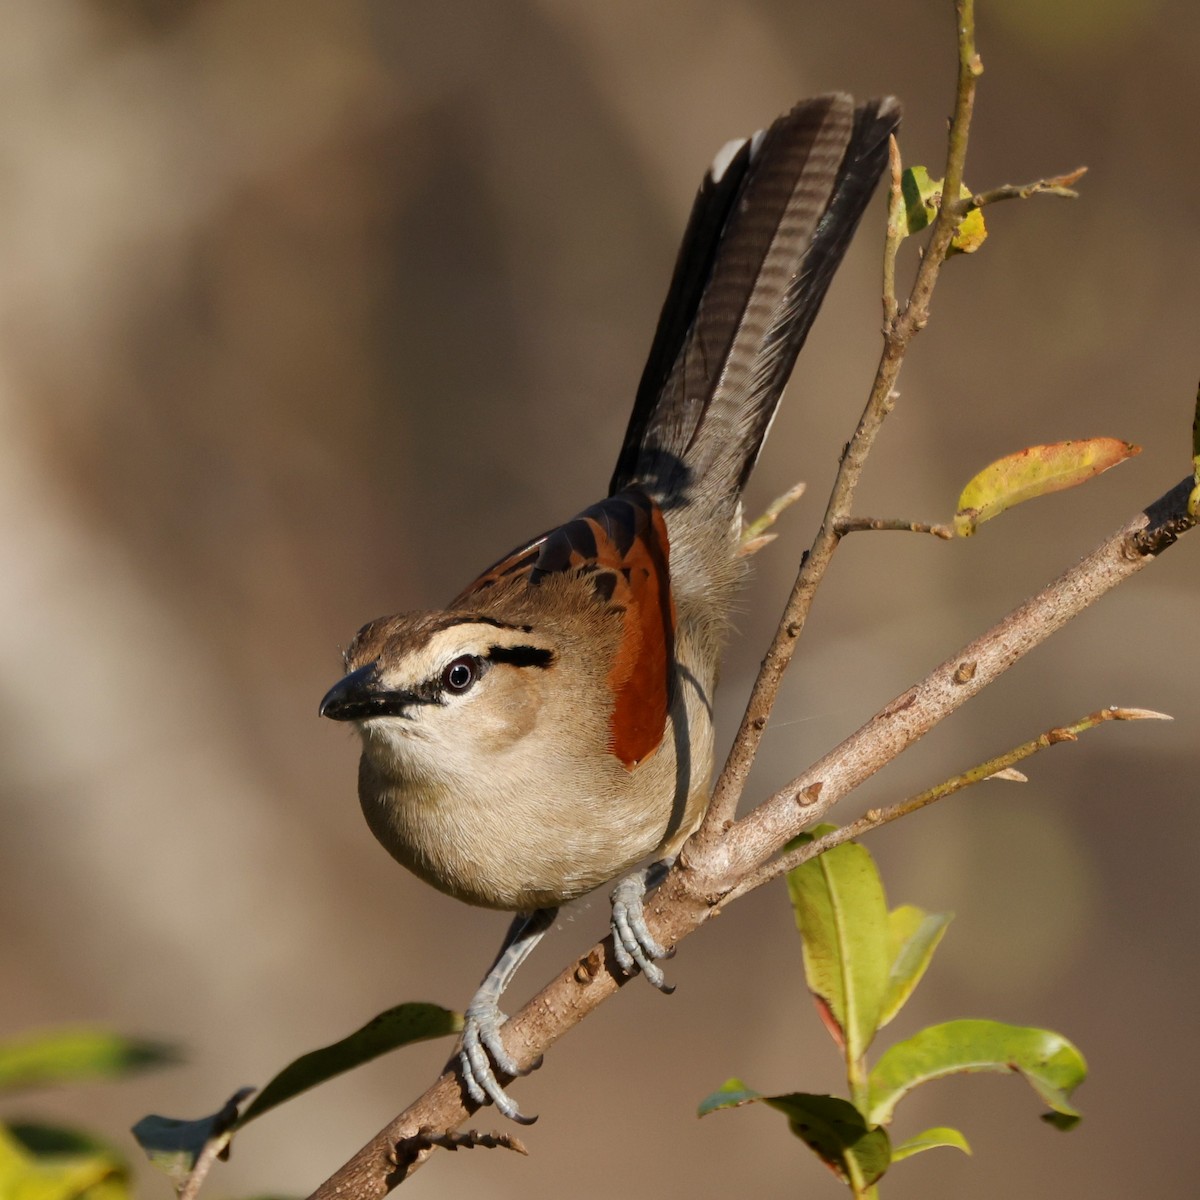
<point>707,875</point>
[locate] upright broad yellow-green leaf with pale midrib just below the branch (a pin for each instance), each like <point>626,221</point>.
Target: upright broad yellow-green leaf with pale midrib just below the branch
<point>843,917</point>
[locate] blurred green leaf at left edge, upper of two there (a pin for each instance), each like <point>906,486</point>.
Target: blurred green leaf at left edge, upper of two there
<point>73,1054</point>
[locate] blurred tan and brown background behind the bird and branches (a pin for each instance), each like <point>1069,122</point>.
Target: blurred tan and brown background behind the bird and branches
<point>310,310</point>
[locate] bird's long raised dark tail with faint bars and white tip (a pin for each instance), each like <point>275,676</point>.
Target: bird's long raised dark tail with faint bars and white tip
<point>770,227</point>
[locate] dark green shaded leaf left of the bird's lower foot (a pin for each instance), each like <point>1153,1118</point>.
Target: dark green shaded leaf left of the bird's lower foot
<point>397,1028</point>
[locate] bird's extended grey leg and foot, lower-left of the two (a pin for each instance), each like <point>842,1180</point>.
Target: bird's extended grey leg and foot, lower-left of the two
<point>483,1051</point>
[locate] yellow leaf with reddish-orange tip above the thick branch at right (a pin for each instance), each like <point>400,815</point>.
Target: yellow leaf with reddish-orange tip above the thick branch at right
<point>1035,471</point>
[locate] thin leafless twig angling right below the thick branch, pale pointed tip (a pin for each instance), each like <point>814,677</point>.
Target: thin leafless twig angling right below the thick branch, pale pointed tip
<point>991,770</point>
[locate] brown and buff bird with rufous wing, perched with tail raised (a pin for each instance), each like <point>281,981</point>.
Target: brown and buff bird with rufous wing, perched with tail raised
<point>551,730</point>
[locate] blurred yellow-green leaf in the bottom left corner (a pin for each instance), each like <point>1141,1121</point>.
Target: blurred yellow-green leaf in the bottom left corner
<point>79,1171</point>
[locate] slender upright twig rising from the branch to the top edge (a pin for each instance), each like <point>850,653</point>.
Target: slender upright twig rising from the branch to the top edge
<point>815,563</point>
